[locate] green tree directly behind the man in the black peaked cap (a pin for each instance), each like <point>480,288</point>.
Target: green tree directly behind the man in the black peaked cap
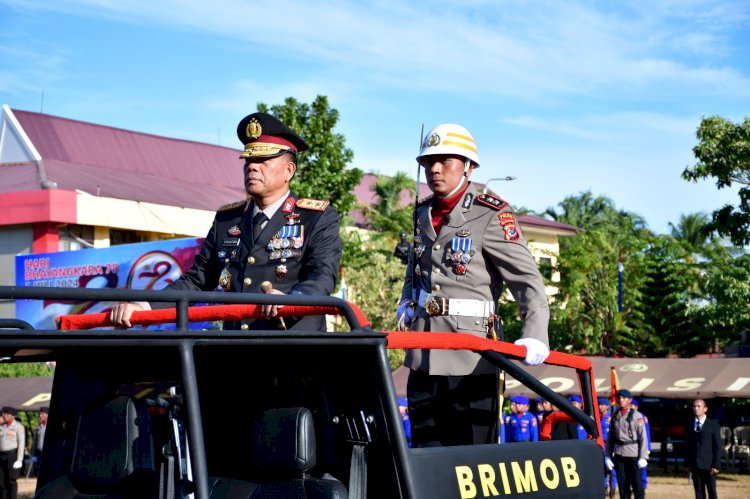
<point>323,171</point>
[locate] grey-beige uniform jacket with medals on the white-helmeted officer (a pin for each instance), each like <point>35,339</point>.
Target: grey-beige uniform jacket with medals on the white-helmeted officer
<point>480,248</point>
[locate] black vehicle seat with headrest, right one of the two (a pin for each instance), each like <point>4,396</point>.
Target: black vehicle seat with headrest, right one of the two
<point>284,451</point>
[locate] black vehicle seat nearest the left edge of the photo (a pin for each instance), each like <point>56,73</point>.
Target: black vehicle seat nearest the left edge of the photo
<point>113,455</point>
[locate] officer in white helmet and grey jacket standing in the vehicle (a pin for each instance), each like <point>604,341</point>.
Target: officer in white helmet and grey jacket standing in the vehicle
<point>467,246</point>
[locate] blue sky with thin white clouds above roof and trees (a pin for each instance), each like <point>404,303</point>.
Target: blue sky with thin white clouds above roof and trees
<point>567,96</point>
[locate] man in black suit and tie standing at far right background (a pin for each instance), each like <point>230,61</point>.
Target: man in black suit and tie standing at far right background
<point>703,459</point>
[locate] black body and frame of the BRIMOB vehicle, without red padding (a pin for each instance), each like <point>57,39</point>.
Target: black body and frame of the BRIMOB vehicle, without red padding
<point>204,389</point>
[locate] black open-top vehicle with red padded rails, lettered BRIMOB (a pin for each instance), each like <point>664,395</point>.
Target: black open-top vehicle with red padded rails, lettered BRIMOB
<point>216,413</point>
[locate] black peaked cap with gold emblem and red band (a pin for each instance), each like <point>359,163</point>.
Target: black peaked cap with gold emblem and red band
<point>265,136</point>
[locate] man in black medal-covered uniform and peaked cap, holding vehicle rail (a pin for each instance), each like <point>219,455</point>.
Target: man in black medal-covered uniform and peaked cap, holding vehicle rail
<point>272,242</point>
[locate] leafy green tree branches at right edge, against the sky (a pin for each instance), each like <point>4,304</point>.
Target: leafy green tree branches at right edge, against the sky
<point>723,152</point>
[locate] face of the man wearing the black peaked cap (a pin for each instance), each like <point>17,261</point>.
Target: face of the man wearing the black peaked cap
<point>267,179</point>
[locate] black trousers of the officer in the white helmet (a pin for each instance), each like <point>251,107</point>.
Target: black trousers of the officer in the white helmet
<point>452,410</point>
